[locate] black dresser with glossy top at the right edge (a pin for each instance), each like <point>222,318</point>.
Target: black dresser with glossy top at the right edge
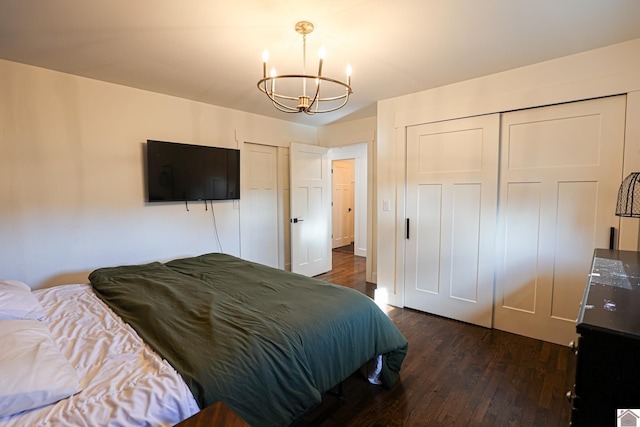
<point>608,351</point>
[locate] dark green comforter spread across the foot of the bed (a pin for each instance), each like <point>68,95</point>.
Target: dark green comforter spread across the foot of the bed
<point>266,342</point>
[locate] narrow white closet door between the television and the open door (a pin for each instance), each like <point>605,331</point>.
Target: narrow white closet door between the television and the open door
<point>259,213</point>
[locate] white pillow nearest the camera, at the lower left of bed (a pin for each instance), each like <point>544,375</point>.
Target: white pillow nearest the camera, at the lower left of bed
<point>33,373</point>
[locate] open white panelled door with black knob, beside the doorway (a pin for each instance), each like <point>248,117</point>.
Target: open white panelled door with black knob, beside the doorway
<point>310,209</point>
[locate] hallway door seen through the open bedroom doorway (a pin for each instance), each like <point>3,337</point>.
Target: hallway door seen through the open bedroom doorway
<point>343,205</point>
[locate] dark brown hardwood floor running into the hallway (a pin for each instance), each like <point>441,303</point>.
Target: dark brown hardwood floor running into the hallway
<point>455,374</point>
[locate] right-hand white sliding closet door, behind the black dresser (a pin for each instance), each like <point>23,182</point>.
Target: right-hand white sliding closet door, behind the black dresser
<point>561,168</point>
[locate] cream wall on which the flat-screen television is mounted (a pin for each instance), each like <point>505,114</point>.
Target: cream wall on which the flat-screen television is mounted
<point>72,180</point>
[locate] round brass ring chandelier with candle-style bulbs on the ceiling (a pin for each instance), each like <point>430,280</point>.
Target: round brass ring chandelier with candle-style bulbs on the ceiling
<point>322,95</point>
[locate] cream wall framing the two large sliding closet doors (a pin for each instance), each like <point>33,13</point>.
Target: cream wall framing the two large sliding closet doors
<point>608,71</point>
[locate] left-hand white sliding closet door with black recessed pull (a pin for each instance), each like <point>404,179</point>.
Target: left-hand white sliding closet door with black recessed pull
<point>452,178</point>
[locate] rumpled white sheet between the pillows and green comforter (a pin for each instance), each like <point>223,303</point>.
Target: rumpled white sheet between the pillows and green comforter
<point>123,382</point>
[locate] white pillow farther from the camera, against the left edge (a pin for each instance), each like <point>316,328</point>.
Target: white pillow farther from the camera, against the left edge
<point>17,302</point>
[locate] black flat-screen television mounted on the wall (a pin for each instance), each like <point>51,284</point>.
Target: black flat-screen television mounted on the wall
<point>185,172</point>
